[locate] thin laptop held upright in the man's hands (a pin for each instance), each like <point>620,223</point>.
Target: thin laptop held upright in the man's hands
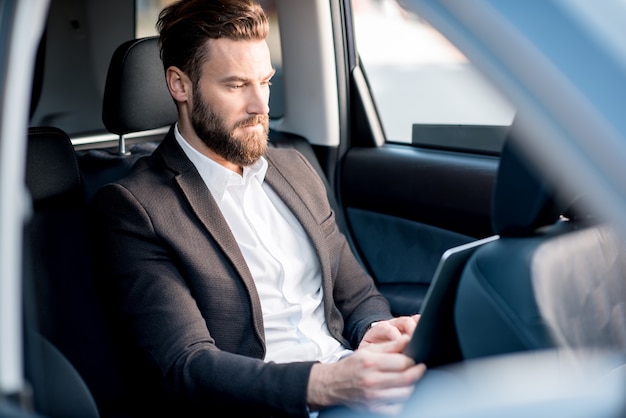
<point>434,341</point>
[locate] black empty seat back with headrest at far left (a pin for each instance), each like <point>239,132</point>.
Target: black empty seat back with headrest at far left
<point>64,305</point>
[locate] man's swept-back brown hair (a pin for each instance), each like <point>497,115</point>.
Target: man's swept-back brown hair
<point>186,25</point>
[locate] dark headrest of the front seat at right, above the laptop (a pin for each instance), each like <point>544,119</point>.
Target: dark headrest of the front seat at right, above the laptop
<point>522,200</point>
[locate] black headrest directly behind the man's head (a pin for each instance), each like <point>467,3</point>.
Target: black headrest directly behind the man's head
<point>136,97</point>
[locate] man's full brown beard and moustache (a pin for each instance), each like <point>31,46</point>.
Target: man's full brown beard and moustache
<point>244,149</point>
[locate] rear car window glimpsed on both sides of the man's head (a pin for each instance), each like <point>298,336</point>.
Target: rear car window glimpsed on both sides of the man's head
<point>147,12</point>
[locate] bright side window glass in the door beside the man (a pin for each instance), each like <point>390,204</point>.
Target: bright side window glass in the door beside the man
<point>417,77</point>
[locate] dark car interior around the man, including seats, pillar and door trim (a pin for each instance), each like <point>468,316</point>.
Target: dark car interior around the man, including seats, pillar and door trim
<point>401,206</point>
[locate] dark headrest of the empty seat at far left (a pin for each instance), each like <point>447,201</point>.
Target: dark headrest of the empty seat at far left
<point>51,166</point>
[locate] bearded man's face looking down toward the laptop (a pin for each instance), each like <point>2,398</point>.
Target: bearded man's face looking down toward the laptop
<point>230,101</point>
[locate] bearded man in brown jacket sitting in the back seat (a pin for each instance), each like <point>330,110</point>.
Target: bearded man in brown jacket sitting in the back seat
<point>231,274</point>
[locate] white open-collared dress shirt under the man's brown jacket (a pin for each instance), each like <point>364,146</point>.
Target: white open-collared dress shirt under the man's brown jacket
<point>280,257</point>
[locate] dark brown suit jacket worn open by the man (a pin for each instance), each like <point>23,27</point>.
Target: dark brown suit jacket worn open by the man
<point>184,290</point>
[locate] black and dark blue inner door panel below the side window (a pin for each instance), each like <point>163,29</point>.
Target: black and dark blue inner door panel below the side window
<point>406,206</point>
